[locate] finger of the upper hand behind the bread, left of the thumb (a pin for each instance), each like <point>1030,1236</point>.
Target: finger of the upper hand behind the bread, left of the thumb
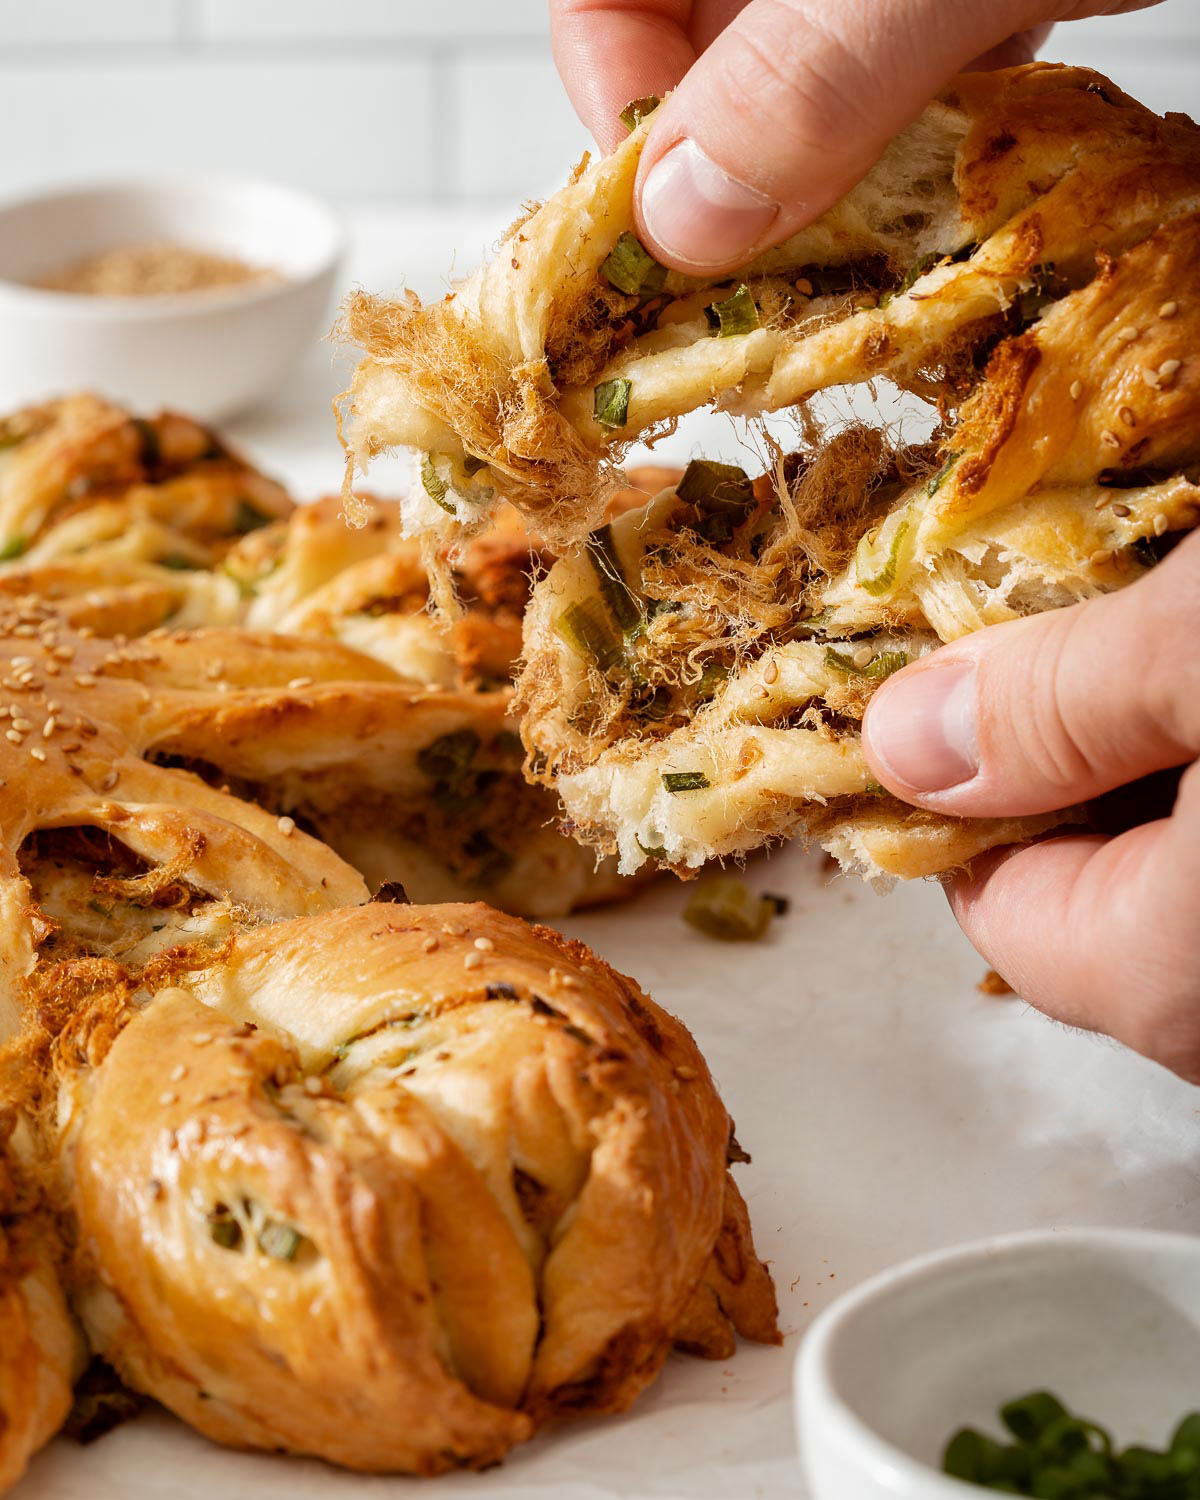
<point>613,52</point>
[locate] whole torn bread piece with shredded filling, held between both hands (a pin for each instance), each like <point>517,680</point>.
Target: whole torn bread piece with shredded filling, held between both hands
<point>697,674</point>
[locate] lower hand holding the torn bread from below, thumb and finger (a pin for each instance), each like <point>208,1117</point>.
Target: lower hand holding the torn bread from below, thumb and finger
<point>1043,713</point>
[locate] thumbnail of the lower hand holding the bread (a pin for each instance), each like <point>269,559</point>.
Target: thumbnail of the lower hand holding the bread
<point>923,728</point>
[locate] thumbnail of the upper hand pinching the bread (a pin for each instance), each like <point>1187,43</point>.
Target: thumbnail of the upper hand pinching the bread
<point>698,212</point>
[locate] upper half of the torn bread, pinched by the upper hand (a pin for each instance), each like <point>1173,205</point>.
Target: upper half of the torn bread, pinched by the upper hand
<point>530,380</point>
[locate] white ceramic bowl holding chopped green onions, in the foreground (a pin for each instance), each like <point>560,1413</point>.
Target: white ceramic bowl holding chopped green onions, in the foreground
<point>1109,1321</point>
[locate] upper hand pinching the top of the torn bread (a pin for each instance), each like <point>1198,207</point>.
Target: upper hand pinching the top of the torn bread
<point>779,106</point>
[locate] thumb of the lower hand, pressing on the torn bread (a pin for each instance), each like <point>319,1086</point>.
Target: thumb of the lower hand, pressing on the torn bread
<point>1048,712</point>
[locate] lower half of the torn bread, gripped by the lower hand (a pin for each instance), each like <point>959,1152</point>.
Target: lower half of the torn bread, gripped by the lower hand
<point>697,674</point>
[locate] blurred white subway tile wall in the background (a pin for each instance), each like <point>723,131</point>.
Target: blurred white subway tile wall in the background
<point>449,103</point>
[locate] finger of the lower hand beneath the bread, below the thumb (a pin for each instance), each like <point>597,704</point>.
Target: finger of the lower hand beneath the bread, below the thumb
<point>1100,932</point>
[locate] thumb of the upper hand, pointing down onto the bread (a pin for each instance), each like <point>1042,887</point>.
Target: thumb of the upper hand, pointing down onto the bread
<point>788,109</point>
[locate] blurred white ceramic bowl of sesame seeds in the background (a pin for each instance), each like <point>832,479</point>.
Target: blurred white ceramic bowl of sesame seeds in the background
<point>211,353</point>
